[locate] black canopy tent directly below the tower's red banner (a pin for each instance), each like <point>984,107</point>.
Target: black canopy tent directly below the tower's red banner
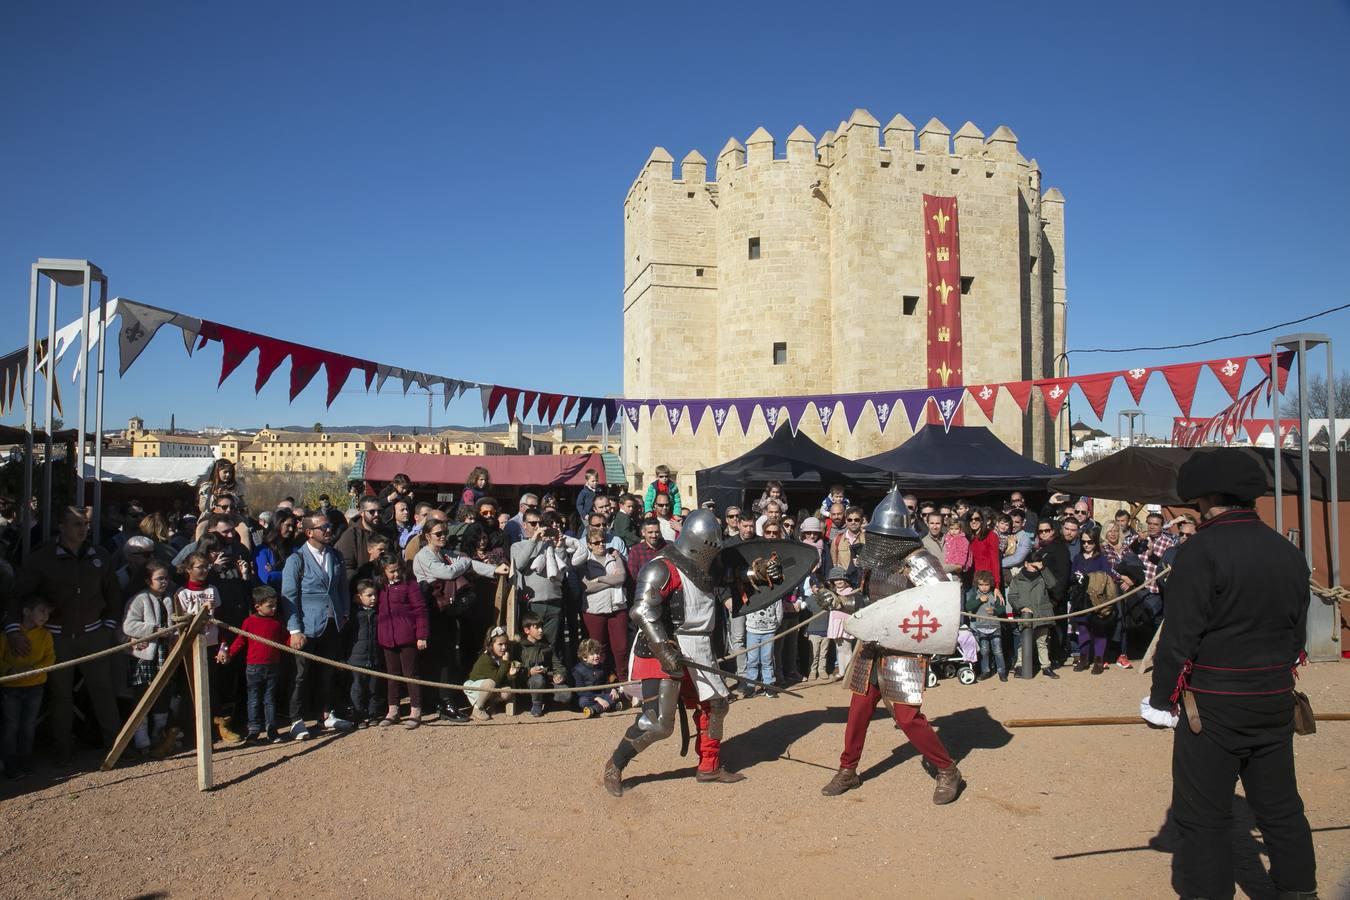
<point>962,461</point>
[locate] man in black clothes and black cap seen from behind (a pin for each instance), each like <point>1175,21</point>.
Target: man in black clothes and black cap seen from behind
<point>1236,628</point>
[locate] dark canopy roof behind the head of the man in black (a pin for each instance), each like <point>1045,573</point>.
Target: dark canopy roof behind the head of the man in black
<point>1150,476</point>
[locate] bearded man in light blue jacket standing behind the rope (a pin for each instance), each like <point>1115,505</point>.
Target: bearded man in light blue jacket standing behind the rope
<point>315,604</point>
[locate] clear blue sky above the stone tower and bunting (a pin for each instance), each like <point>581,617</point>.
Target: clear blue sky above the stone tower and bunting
<point>442,187</point>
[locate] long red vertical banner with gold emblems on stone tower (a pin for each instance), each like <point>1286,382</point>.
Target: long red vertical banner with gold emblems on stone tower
<point>943,256</point>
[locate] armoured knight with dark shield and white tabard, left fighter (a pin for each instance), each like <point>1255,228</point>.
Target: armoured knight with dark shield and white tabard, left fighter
<point>676,612</point>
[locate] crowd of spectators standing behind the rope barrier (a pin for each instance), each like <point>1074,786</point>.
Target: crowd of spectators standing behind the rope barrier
<point>407,586</point>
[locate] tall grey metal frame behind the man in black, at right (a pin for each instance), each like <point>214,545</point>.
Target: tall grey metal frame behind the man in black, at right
<point>1324,619</point>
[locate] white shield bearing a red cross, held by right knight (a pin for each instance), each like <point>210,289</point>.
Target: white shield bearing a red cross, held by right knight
<point>920,620</point>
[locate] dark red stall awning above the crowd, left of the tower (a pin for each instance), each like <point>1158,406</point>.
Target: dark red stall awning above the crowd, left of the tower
<point>434,469</point>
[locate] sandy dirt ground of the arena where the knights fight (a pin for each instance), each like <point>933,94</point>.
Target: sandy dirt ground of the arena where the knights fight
<point>515,808</point>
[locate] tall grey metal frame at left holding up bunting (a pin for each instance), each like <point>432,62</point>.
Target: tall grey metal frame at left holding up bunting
<point>64,273</point>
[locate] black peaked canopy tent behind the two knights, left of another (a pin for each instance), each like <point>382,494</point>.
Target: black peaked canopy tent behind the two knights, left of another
<point>793,459</point>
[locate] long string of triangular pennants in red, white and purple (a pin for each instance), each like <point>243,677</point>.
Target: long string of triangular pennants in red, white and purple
<point>140,323</point>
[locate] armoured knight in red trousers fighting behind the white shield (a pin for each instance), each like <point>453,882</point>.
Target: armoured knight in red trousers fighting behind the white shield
<point>892,561</point>
